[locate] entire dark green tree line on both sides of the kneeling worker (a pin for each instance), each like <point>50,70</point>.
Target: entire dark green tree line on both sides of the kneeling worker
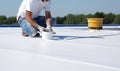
<point>109,18</point>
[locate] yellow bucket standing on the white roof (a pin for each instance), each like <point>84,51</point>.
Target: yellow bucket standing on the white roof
<point>95,23</point>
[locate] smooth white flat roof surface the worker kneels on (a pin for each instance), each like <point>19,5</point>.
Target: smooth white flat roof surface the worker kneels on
<point>72,49</point>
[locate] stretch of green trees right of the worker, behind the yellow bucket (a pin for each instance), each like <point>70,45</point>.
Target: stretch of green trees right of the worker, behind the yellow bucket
<point>109,18</point>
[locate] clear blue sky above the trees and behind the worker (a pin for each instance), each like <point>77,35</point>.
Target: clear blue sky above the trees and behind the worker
<point>62,7</point>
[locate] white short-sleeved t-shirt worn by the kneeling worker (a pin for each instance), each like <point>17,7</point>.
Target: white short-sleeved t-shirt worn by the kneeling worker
<point>34,6</point>
